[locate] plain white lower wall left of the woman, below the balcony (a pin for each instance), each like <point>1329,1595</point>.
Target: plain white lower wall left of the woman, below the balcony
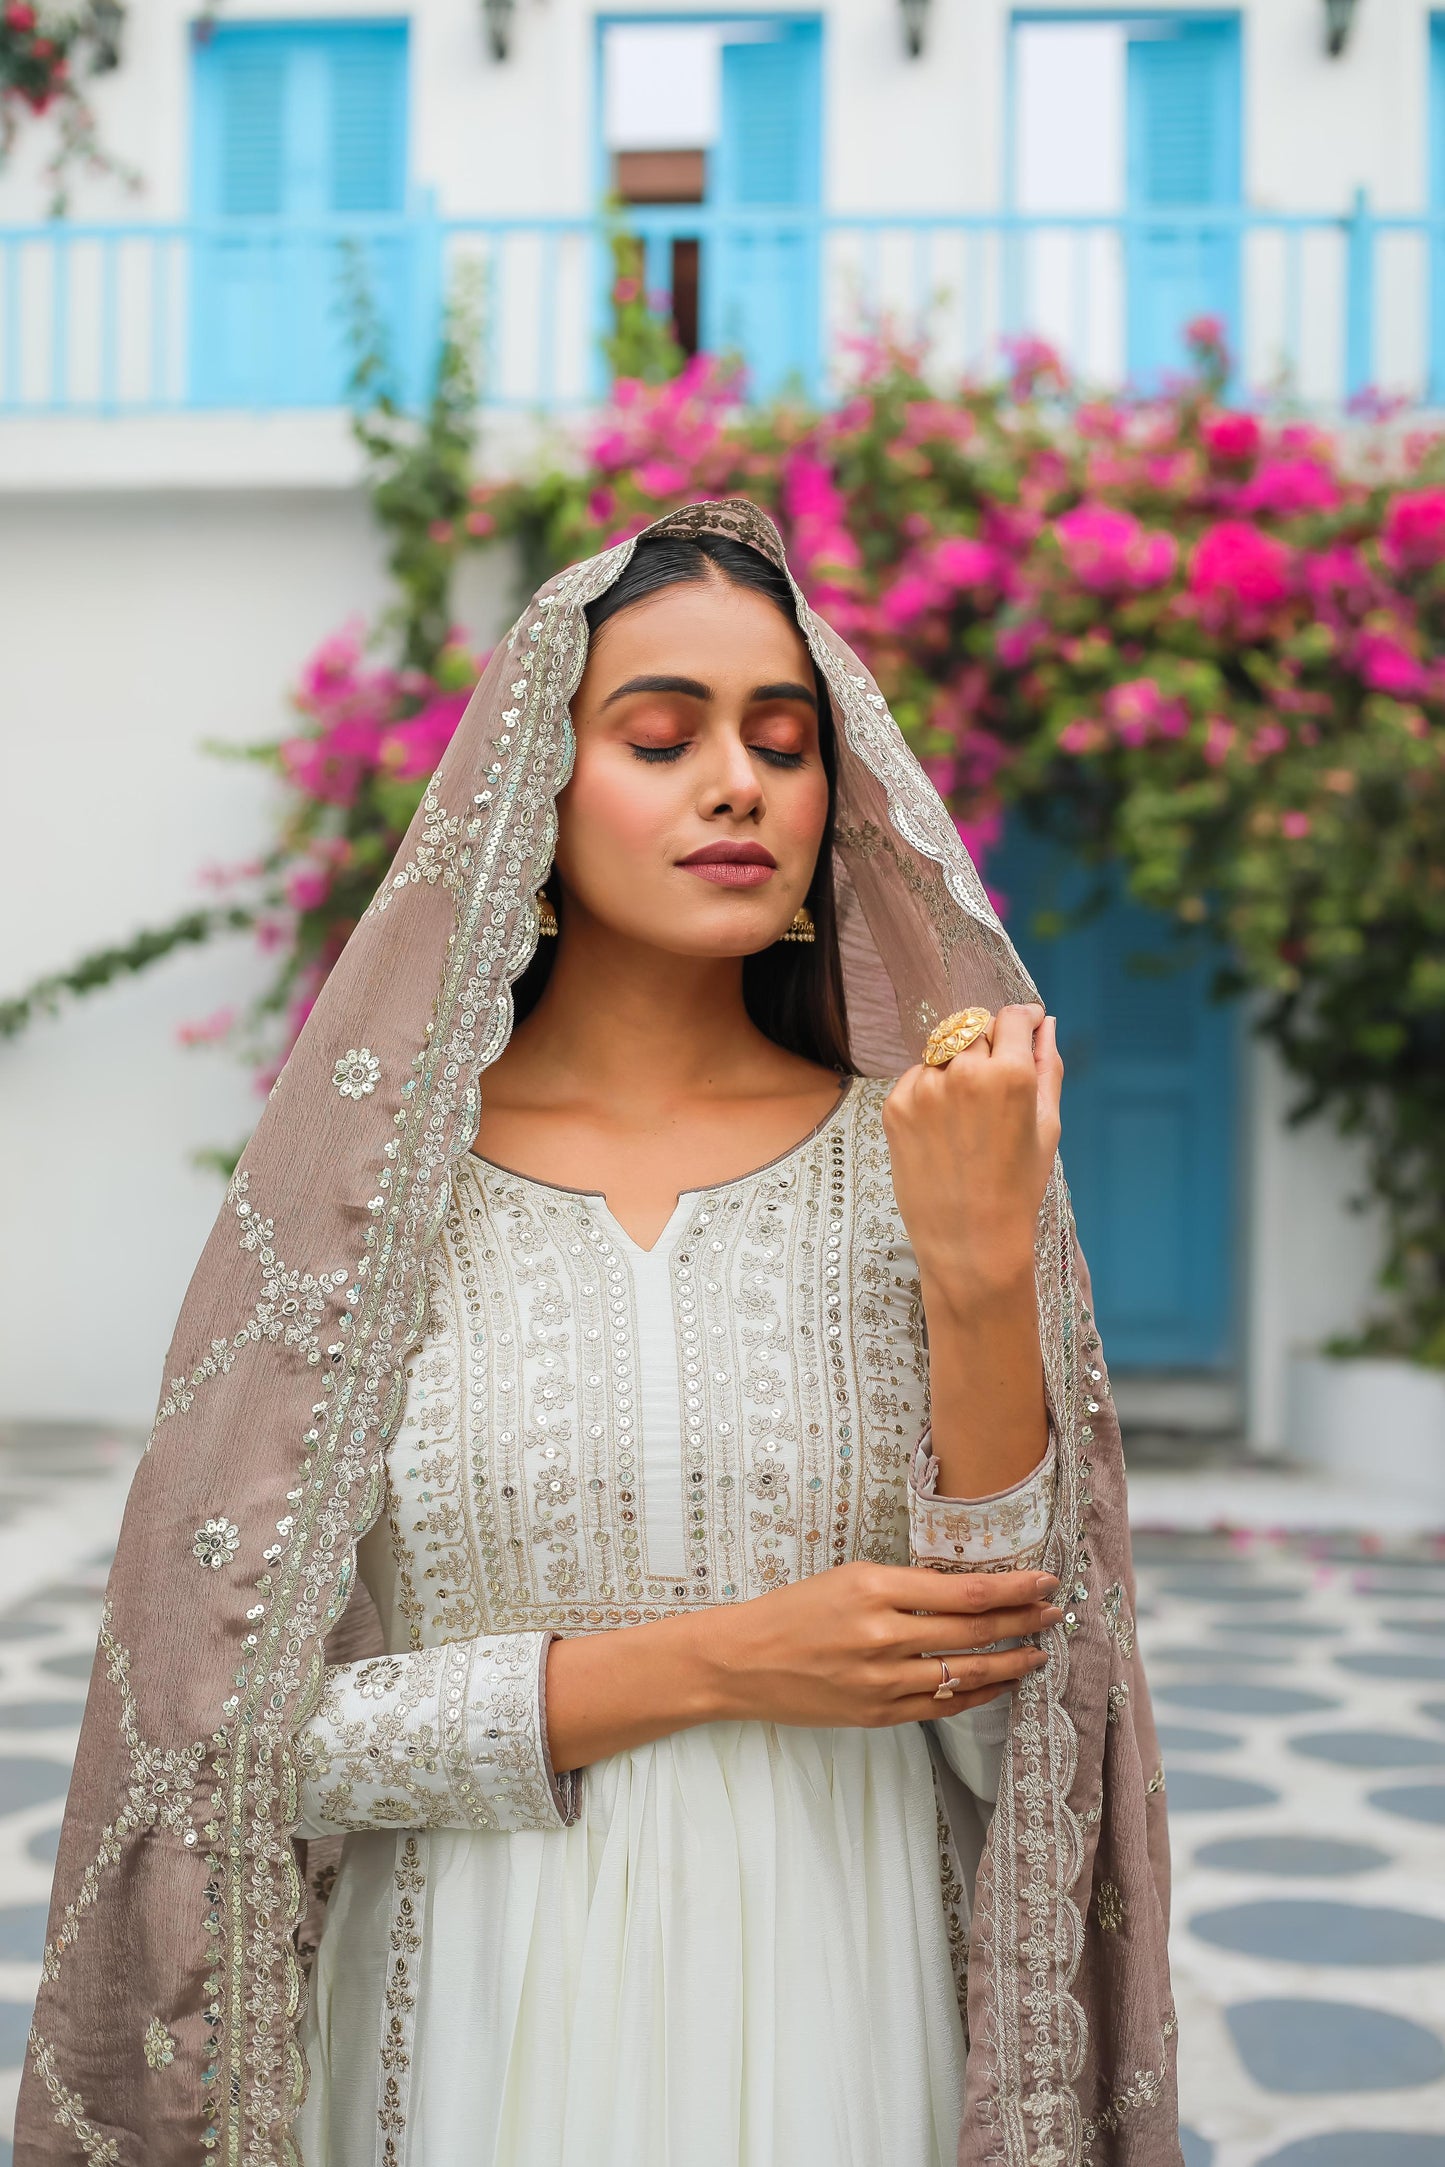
<point>138,627</point>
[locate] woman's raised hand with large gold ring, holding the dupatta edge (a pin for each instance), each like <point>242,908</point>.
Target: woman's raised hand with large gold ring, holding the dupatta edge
<point>972,1152</point>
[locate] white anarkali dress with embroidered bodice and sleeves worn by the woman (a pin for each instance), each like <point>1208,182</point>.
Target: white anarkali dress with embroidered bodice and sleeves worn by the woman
<point>744,1945</point>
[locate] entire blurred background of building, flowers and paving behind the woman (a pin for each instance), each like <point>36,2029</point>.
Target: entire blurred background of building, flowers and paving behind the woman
<point>1093,363</point>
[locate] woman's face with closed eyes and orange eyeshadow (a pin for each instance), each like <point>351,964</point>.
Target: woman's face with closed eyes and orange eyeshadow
<point>699,801</point>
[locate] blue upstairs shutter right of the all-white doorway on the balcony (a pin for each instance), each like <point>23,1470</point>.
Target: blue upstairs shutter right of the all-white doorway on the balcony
<point>1182,157</point>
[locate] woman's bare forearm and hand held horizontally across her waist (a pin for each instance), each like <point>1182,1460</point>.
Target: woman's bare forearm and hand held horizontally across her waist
<point>855,1646</point>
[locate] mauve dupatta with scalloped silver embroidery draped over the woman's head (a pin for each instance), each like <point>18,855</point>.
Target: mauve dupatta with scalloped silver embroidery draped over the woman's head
<point>166,2032</point>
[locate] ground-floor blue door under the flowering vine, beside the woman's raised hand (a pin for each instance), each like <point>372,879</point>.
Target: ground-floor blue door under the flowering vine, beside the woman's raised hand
<point>1149,1113</point>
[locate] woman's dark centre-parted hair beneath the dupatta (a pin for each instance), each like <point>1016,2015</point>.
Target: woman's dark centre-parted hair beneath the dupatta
<point>794,991</point>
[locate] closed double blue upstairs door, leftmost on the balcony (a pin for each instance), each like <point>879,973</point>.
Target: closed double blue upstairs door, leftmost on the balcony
<point>298,133</point>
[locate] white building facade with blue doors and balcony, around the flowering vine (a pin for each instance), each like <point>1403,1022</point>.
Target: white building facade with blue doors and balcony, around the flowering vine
<point>181,510</point>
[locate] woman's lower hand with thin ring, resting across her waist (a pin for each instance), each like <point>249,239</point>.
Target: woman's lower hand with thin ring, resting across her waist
<point>863,1644</point>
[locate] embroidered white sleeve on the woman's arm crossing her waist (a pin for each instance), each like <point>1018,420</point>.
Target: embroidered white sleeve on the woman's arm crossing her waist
<point>437,1739</point>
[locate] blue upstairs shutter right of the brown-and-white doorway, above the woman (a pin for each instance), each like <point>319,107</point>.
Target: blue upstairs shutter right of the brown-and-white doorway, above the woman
<point>761,294</point>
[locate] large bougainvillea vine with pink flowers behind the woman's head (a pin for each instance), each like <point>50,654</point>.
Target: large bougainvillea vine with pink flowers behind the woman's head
<point>1201,647</point>
